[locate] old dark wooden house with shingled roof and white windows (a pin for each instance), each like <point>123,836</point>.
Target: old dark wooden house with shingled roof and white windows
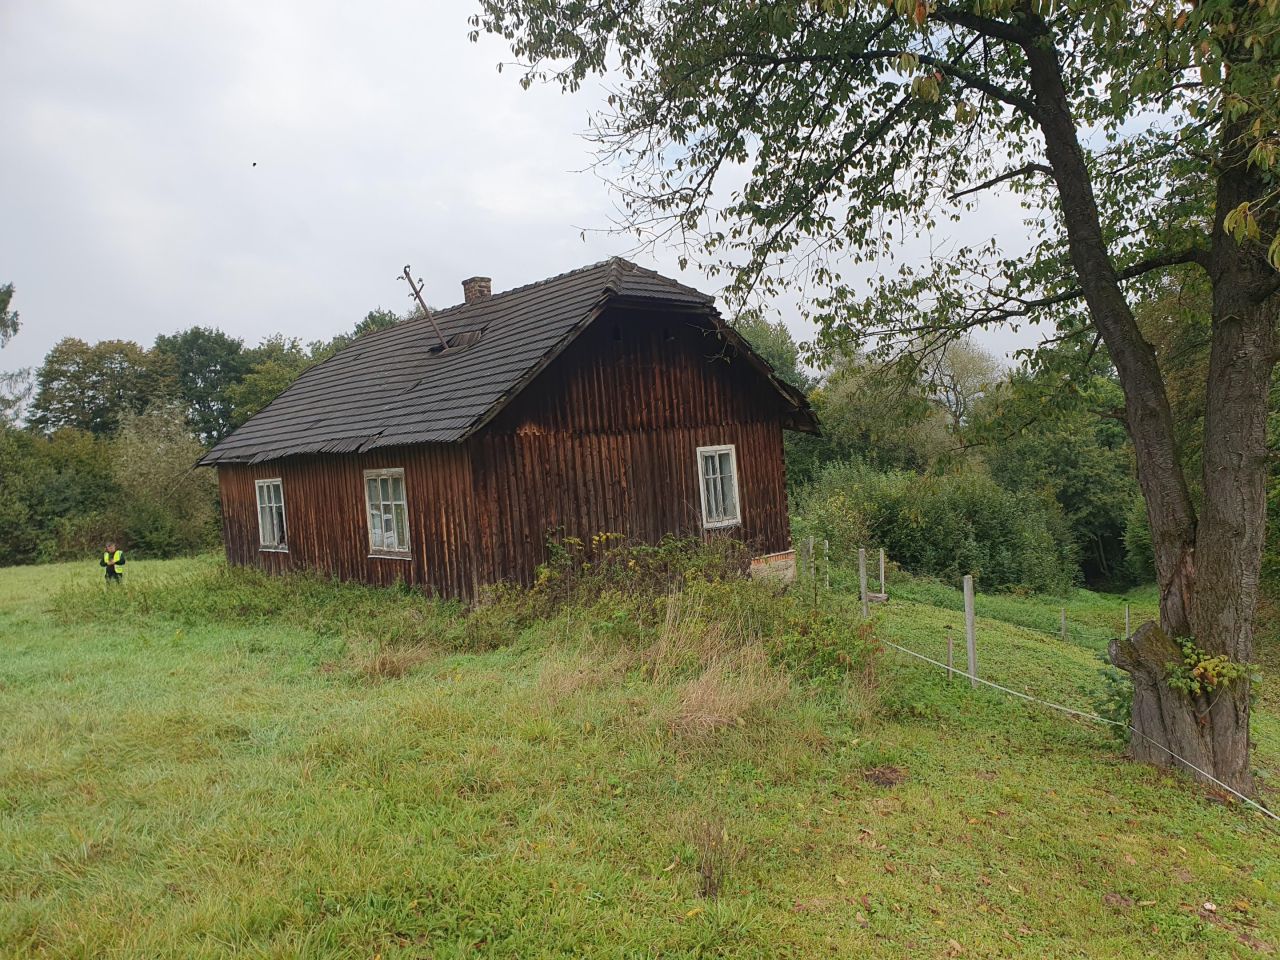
<point>606,400</point>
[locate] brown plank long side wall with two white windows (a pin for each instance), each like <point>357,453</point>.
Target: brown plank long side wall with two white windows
<point>324,505</point>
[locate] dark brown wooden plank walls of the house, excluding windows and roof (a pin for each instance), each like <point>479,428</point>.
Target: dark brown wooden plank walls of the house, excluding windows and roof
<point>605,441</point>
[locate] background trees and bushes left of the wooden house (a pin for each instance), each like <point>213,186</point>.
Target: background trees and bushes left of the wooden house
<point>99,442</point>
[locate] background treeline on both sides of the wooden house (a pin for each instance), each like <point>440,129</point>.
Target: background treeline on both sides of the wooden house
<point>952,461</point>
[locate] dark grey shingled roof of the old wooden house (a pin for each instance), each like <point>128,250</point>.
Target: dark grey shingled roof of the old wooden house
<point>396,387</point>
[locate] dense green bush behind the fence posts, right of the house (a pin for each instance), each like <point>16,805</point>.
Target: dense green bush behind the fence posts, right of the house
<point>943,527</point>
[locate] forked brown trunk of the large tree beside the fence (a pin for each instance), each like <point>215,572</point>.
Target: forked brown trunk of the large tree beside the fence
<point>1208,568</point>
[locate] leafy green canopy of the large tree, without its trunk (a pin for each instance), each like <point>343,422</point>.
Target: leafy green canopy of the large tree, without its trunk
<point>816,141</point>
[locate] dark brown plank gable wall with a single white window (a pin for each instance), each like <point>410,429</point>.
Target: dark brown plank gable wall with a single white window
<point>606,441</point>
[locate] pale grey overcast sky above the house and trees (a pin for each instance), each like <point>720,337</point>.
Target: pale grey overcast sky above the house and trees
<point>131,204</point>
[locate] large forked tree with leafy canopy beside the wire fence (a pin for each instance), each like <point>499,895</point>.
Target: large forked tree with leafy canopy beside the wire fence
<point>810,135</point>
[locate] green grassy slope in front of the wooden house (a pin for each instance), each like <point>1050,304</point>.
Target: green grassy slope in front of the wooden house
<point>214,792</point>
